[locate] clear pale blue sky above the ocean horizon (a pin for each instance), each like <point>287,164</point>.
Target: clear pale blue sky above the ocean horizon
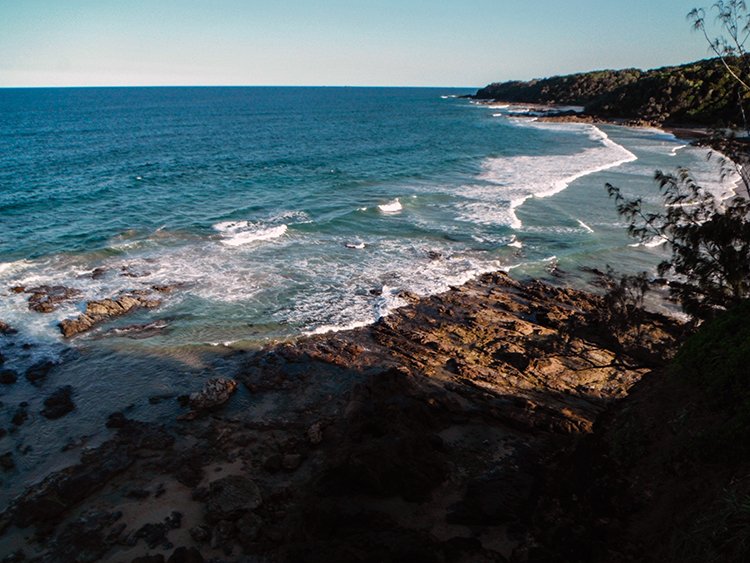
<point>334,42</point>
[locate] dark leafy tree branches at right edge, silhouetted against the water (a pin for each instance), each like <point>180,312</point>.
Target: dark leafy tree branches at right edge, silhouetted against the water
<point>709,242</point>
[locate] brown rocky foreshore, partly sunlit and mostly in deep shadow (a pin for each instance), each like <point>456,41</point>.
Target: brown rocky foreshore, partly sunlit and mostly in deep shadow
<point>422,437</point>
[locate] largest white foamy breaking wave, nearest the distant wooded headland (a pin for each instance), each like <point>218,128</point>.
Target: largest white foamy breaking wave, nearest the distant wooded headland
<point>513,180</point>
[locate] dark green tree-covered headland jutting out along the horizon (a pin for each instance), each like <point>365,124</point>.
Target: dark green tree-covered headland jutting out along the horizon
<point>699,93</point>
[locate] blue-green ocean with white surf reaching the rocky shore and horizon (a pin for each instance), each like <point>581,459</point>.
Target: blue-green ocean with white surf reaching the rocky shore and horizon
<point>278,212</point>
